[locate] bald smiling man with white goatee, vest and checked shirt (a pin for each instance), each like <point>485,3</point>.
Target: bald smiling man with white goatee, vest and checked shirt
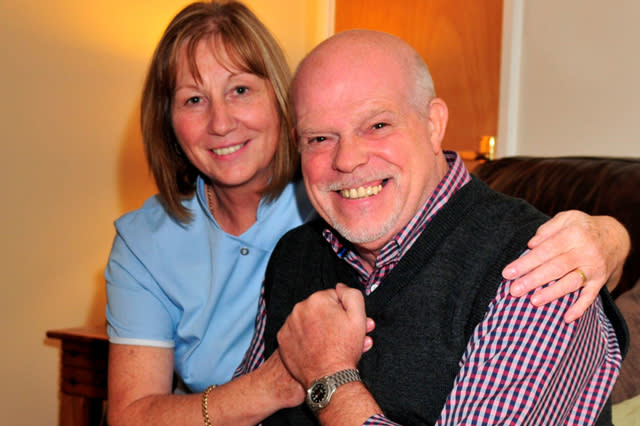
<point>405,225</point>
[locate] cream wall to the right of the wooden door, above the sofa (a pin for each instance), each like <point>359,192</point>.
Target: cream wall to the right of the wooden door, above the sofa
<point>579,85</point>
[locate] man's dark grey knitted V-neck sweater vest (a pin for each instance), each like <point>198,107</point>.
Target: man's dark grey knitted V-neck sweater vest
<point>425,309</point>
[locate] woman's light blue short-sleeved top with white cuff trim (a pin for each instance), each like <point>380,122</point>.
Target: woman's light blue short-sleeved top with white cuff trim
<point>193,287</point>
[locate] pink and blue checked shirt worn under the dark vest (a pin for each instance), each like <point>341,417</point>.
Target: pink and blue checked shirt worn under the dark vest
<point>557,373</point>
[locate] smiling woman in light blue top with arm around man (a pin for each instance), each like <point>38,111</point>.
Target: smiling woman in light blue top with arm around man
<point>184,274</point>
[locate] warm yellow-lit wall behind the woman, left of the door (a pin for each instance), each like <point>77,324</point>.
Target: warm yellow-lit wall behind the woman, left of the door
<point>71,162</point>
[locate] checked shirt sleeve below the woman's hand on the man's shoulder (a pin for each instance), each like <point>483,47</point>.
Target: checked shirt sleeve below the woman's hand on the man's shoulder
<point>524,364</point>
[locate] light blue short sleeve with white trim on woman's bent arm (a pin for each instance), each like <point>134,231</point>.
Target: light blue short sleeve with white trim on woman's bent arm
<point>135,315</point>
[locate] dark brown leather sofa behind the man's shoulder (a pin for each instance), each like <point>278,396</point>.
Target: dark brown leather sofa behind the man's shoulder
<point>598,186</point>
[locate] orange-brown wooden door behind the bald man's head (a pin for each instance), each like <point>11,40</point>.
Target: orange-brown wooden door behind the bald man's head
<point>460,40</point>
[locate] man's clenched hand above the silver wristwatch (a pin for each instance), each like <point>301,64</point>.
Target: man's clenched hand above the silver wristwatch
<point>324,334</point>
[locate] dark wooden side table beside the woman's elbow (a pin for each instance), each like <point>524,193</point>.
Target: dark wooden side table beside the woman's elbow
<point>83,375</point>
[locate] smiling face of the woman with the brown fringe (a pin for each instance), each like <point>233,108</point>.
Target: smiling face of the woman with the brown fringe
<point>227,124</point>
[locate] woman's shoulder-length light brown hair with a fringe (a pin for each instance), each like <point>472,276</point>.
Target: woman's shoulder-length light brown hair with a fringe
<point>250,47</point>
